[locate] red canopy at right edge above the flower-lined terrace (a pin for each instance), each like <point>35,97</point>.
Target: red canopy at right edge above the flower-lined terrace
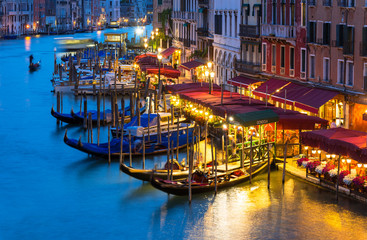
<point>338,141</point>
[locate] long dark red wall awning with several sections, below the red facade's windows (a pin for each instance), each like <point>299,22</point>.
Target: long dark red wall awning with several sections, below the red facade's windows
<point>307,98</point>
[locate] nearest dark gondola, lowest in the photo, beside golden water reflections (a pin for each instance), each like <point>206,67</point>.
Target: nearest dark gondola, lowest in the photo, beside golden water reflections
<point>225,180</point>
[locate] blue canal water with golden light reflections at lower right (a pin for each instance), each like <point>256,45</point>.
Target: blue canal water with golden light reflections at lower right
<point>50,191</point>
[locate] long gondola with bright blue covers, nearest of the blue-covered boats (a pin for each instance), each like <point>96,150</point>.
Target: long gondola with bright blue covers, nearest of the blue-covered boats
<point>151,147</point>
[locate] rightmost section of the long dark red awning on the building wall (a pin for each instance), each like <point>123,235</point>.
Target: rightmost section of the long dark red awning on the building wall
<point>314,99</point>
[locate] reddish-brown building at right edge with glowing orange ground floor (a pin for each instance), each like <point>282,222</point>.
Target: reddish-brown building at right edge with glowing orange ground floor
<point>337,57</point>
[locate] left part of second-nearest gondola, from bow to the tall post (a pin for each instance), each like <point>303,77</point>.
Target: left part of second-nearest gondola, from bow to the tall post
<point>147,174</point>
